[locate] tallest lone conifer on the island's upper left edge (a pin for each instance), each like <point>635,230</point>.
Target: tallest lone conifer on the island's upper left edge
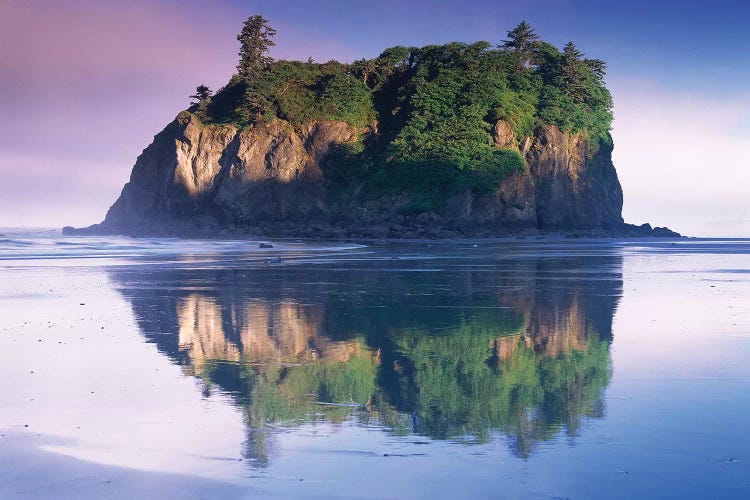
<point>255,41</point>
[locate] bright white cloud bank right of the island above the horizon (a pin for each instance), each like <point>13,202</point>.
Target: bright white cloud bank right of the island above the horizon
<point>682,158</point>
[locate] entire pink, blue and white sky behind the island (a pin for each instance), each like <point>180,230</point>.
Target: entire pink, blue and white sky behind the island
<point>86,84</point>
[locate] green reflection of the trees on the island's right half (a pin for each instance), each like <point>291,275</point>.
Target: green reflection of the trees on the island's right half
<point>455,387</point>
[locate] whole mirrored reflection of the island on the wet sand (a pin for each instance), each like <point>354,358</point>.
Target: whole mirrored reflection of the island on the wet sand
<point>521,348</point>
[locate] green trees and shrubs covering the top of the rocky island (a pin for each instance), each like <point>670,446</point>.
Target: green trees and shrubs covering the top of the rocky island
<point>431,109</point>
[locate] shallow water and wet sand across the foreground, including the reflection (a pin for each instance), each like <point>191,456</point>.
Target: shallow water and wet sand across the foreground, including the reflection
<point>509,368</point>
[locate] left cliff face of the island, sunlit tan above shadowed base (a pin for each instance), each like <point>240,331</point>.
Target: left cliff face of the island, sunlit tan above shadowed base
<point>209,176</point>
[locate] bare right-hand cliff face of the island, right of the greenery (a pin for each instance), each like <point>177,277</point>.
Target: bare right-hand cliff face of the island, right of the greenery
<point>568,185</point>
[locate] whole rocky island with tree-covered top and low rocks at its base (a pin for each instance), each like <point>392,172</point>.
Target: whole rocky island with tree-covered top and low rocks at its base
<point>442,141</point>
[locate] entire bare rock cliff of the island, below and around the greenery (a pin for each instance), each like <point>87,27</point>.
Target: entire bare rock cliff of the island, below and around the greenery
<point>198,177</point>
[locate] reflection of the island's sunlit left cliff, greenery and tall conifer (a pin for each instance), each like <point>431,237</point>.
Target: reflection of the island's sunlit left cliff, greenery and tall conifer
<point>273,357</point>
